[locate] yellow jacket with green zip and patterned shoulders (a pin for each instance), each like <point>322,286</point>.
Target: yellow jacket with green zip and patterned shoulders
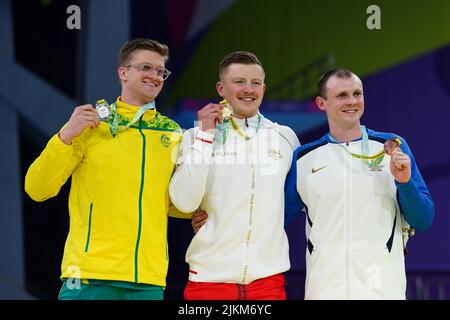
<point>118,202</point>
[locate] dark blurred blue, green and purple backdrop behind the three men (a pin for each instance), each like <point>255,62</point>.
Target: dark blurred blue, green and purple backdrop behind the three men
<point>49,69</point>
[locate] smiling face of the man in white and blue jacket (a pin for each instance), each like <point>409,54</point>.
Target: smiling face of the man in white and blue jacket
<point>343,102</point>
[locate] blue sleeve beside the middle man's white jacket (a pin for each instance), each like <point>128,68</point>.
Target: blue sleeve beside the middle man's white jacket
<point>292,201</point>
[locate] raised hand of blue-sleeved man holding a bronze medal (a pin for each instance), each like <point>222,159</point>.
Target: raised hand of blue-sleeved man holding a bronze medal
<point>400,162</point>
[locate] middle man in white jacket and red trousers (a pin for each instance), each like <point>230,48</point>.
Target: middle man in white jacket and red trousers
<point>235,170</point>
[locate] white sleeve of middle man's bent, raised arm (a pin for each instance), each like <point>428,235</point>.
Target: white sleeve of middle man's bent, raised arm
<point>188,184</point>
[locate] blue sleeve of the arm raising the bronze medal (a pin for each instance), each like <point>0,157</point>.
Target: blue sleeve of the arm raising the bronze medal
<point>414,198</point>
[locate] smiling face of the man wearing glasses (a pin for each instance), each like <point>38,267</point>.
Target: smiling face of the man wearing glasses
<point>140,87</point>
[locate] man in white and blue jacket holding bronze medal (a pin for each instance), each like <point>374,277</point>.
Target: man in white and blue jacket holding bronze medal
<point>359,200</point>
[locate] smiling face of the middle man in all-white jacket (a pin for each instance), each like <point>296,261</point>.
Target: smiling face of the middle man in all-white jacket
<point>242,85</point>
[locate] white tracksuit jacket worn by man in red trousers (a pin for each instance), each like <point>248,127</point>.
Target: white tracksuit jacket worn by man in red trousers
<point>240,185</point>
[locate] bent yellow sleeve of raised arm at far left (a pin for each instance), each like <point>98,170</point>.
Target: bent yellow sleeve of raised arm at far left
<point>48,173</point>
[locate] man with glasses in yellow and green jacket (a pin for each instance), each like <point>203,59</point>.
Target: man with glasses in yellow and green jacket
<point>120,159</point>
